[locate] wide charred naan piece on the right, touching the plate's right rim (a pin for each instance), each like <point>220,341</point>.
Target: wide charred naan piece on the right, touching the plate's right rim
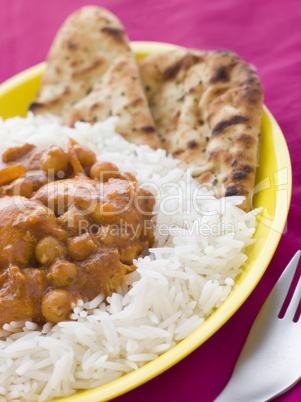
<point>207,107</point>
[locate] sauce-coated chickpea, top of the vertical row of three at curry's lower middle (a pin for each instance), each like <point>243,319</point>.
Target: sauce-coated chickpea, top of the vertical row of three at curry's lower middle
<point>47,249</point>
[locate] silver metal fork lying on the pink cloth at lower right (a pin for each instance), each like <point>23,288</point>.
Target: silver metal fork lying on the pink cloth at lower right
<point>270,361</point>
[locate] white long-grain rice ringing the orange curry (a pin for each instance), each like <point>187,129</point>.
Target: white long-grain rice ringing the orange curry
<point>199,251</point>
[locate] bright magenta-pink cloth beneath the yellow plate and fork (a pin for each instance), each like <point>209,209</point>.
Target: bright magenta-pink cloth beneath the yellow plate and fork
<point>266,34</point>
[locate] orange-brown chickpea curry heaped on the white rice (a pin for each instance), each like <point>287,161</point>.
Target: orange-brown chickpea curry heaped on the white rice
<point>70,227</point>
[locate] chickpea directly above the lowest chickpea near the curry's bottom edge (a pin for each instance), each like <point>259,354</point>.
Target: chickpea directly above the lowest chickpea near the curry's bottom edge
<point>62,273</point>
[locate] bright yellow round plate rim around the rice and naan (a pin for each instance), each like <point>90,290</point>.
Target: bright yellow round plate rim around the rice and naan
<point>272,191</point>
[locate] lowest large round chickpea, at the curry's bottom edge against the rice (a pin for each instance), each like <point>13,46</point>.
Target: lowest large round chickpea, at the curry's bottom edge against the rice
<point>57,305</point>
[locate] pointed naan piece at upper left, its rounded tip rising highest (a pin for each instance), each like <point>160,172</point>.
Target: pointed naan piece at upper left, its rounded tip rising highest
<point>91,74</point>
